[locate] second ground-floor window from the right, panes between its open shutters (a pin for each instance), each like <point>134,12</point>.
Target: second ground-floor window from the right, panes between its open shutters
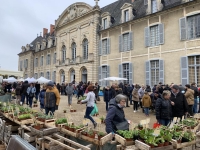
<point>154,72</point>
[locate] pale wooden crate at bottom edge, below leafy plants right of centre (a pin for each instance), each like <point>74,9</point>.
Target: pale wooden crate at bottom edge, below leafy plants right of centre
<point>142,146</point>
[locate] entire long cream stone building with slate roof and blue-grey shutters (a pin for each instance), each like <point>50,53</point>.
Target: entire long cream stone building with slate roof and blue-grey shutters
<point>145,41</point>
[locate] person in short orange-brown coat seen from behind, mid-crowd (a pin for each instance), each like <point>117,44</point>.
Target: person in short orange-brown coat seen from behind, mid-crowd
<point>146,103</point>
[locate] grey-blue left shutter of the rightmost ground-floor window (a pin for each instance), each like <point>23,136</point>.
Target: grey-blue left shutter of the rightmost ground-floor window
<point>184,71</point>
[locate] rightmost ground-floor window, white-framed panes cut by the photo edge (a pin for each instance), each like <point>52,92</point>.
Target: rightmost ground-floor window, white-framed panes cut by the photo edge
<point>194,69</point>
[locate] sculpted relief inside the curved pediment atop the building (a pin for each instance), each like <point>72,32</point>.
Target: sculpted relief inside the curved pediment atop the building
<point>75,11</point>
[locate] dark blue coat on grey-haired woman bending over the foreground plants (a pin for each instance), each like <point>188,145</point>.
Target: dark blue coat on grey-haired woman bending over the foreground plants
<point>114,116</point>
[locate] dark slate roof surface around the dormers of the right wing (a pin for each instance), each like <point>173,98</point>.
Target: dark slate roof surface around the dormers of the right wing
<point>138,5</point>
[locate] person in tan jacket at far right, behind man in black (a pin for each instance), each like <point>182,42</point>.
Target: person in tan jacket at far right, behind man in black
<point>189,95</point>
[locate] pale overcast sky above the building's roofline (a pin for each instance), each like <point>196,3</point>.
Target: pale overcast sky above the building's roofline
<point>22,20</point>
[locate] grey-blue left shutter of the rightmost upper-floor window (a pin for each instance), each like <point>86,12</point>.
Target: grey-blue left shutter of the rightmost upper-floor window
<point>183,28</point>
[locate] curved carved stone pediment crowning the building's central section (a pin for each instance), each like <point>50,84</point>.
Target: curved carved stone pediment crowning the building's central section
<point>72,12</point>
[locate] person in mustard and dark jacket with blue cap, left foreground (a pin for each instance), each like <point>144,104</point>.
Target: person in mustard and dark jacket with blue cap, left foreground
<point>52,98</point>
